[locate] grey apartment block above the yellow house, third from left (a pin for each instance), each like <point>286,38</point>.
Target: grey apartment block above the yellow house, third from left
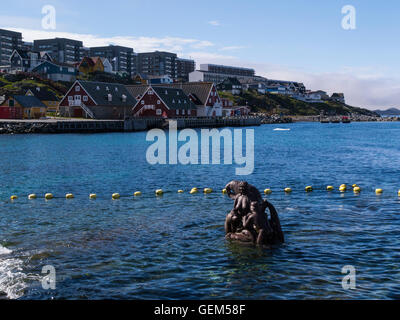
<point>123,59</point>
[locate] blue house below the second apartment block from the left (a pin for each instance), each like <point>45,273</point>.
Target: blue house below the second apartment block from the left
<point>56,72</point>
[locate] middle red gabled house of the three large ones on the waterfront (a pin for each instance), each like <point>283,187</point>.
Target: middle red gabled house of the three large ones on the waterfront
<point>163,102</point>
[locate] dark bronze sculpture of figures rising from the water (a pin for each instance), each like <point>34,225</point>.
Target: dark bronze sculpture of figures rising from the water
<point>248,222</point>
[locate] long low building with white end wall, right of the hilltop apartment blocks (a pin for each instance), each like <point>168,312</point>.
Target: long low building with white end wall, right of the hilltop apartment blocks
<point>218,73</point>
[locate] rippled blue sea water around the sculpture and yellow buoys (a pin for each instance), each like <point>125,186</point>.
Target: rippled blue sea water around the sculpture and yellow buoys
<point>173,247</point>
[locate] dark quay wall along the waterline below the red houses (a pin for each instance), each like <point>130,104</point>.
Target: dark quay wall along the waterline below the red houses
<point>130,125</point>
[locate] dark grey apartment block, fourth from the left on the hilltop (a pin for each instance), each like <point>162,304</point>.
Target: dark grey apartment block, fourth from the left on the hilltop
<point>158,63</point>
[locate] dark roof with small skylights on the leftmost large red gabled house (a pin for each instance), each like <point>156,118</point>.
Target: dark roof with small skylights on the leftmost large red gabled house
<point>99,92</point>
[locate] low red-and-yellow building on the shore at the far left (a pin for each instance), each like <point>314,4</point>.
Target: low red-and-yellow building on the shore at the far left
<point>22,107</point>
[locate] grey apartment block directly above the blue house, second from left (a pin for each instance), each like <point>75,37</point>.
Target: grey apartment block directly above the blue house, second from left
<point>61,50</point>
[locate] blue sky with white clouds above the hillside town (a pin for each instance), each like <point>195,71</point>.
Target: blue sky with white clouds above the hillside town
<point>287,39</point>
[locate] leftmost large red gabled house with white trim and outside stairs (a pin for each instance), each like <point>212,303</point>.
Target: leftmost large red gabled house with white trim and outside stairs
<point>97,100</point>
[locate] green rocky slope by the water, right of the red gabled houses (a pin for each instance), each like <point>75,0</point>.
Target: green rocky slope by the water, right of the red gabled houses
<point>277,104</point>
